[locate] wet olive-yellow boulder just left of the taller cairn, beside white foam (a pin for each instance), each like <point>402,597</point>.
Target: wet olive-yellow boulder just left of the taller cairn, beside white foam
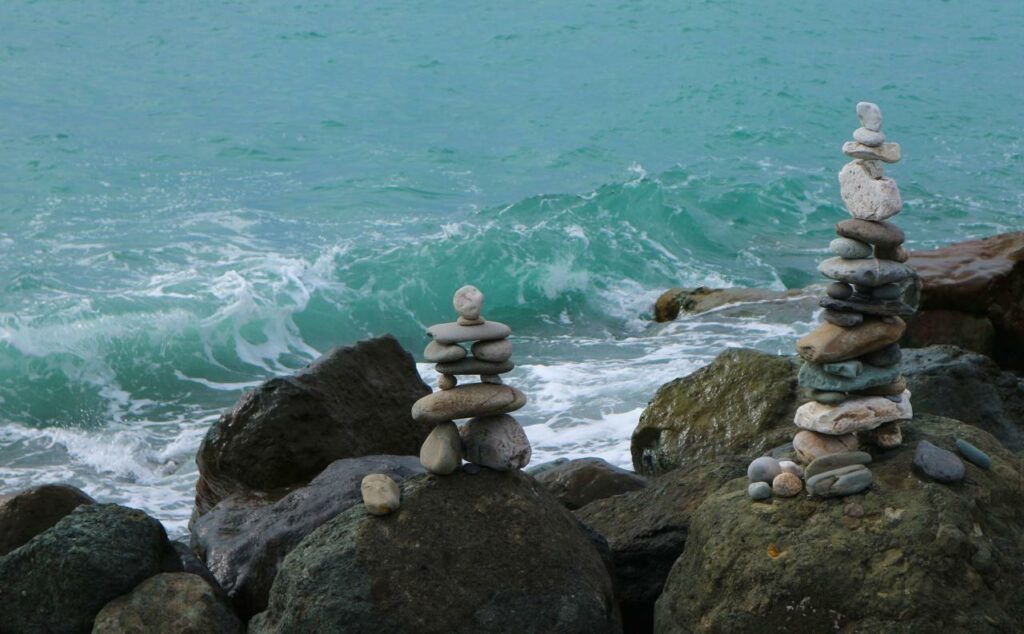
<point>742,404</point>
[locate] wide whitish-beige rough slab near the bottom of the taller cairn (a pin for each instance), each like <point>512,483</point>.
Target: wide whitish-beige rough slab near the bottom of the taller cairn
<point>855,414</point>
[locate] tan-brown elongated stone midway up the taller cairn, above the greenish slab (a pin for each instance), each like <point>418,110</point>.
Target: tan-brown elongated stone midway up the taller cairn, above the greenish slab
<point>830,344</point>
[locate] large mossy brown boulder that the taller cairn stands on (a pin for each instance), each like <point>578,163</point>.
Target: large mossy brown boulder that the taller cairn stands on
<point>909,556</point>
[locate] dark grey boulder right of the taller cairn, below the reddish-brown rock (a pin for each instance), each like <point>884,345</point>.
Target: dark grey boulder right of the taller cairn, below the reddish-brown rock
<point>967,387</point>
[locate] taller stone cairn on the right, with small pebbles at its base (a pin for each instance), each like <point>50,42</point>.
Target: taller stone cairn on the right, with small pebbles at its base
<point>851,370</point>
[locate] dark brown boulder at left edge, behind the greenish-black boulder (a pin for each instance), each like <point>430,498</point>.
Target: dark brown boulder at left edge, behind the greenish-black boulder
<point>27,514</point>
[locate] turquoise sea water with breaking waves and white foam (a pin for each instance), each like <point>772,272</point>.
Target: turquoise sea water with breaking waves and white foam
<point>197,196</point>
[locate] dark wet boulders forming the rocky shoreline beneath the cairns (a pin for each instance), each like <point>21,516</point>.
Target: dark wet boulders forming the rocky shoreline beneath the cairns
<point>283,541</point>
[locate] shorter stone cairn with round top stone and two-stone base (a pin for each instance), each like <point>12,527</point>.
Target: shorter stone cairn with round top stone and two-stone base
<point>491,438</point>
